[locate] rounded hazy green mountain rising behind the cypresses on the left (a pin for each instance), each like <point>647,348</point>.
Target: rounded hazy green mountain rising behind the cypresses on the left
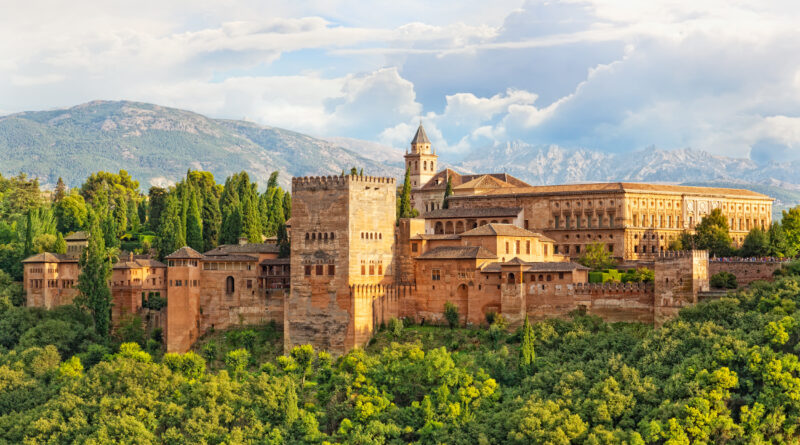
<point>157,144</point>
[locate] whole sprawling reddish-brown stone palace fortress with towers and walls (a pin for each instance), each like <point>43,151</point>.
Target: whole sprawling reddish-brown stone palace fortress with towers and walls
<point>502,246</point>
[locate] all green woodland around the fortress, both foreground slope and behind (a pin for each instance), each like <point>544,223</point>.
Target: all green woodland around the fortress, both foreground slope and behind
<point>724,371</point>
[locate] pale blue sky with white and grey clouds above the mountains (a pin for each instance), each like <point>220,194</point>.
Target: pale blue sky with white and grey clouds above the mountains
<point>612,75</point>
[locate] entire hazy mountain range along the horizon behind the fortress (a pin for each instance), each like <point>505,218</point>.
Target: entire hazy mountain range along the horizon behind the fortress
<point>158,144</point>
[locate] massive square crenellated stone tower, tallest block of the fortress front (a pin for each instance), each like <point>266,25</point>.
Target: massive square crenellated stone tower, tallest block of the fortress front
<point>342,239</point>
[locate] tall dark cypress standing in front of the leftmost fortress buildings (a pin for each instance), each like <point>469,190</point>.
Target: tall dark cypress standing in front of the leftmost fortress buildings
<point>93,280</point>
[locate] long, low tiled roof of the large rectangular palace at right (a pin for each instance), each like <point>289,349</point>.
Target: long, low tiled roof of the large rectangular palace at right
<point>621,187</point>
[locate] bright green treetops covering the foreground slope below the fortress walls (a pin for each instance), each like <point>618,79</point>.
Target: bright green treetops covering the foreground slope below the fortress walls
<point>725,371</point>
